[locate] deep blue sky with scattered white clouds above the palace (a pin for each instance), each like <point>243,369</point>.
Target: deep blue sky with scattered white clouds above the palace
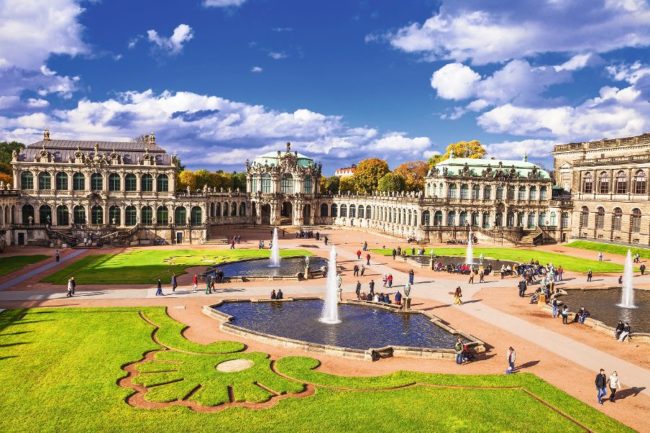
<point>220,81</point>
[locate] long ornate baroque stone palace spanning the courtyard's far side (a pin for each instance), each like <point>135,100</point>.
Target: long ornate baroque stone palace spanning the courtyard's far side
<point>94,192</point>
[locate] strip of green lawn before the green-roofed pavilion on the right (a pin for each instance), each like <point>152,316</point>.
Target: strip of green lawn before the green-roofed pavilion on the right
<point>569,263</point>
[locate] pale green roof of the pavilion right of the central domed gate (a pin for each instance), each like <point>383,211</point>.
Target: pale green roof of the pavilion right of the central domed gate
<point>456,166</point>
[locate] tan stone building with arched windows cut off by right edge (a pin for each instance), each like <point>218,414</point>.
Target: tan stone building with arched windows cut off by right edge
<point>608,182</point>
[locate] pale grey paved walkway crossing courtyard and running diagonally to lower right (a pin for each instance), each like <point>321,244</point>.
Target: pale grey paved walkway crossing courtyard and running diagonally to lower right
<point>438,291</point>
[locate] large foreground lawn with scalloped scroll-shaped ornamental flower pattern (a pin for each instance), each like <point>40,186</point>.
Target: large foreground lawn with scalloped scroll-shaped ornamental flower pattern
<point>59,369</point>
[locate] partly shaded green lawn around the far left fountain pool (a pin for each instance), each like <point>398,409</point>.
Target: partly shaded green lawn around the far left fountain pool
<point>145,266</point>
